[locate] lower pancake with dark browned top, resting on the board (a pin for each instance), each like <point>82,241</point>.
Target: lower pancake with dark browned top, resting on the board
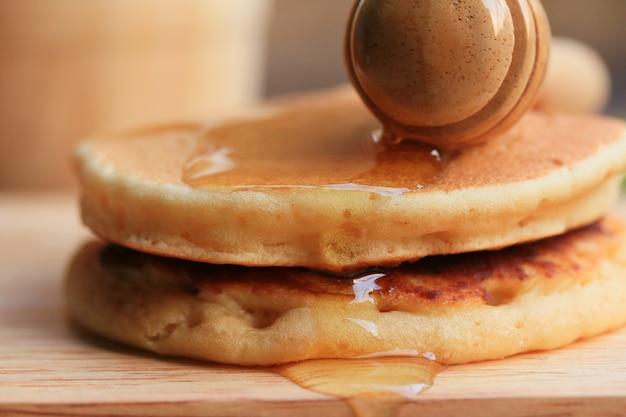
<point>457,308</point>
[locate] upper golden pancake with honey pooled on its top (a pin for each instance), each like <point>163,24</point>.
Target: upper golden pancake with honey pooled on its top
<point>302,183</point>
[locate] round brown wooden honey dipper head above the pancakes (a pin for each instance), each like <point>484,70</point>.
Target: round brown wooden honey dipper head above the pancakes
<point>447,72</point>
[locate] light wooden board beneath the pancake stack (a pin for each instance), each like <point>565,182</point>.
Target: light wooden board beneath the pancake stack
<point>49,368</point>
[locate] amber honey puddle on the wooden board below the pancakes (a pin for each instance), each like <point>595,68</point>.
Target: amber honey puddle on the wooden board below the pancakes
<point>372,386</point>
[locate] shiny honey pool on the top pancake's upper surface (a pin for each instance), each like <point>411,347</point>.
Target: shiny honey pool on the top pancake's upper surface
<point>329,146</point>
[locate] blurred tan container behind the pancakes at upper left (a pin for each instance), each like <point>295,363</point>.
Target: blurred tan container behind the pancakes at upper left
<point>69,68</point>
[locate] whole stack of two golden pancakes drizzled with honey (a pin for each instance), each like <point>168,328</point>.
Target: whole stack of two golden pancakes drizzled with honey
<point>214,249</point>
